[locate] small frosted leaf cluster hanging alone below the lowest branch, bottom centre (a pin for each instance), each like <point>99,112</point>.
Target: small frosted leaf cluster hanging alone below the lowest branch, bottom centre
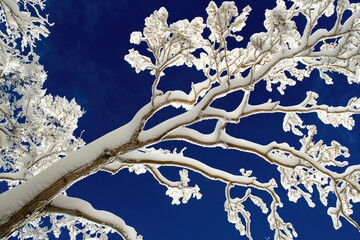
<point>183,192</point>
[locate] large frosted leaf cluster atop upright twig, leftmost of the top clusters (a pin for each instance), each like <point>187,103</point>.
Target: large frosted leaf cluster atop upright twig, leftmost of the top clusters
<point>171,45</point>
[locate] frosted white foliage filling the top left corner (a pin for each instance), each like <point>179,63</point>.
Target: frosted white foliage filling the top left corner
<point>22,24</point>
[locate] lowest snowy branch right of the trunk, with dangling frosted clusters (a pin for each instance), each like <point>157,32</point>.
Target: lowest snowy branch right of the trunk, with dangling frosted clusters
<point>232,206</point>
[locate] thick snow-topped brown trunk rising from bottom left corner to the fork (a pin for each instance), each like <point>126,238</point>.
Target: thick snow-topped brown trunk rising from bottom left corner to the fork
<point>36,193</point>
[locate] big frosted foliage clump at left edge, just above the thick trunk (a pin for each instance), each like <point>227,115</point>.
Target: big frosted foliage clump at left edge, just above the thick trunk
<point>37,127</point>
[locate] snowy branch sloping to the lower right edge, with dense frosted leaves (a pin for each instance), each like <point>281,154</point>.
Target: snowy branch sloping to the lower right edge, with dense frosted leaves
<point>306,166</point>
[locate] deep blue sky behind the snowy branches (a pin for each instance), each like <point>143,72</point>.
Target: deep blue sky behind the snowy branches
<point>84,60</point>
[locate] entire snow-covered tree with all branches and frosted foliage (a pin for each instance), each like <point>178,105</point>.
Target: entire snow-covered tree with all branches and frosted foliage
<point>41,157</point>
